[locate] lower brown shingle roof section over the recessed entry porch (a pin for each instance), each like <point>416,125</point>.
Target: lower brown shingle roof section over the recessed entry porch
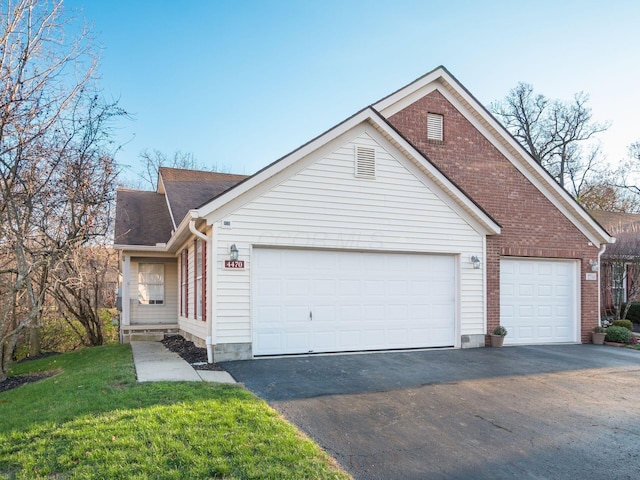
<point>142,218</point>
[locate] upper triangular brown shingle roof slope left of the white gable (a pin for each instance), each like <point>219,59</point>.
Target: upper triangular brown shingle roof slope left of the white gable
<point>188,189</point>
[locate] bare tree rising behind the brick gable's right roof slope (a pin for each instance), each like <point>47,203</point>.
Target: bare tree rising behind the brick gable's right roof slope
<point>553,131</point>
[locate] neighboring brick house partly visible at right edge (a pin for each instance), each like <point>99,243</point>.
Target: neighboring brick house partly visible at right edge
<point>619,266</point>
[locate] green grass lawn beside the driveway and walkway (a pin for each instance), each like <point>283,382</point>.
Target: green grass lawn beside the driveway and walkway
<point>93,420</point>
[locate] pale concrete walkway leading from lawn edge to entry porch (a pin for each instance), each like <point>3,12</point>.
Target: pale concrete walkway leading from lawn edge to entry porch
<point>155,363</point>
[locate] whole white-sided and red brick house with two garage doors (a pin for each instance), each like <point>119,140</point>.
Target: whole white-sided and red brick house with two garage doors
<point>418,222</point>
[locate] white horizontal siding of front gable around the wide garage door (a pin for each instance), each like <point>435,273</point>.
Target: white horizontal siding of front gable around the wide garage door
<point>325,206</point>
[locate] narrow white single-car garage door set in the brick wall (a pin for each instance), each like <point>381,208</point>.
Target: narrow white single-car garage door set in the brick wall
<point>538,300</point>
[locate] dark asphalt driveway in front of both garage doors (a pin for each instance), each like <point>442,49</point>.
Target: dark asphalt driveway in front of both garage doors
<point>553,412</point>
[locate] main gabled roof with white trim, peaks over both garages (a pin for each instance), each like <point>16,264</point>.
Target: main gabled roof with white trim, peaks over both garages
<point>191,194</point>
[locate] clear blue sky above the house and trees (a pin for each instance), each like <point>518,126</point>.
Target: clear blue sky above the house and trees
<point>241,83</point>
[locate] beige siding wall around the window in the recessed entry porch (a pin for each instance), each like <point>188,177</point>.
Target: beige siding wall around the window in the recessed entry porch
<point>152,314</point>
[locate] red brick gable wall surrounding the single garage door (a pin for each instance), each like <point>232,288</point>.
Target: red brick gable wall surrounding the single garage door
<point>531,225</point>
